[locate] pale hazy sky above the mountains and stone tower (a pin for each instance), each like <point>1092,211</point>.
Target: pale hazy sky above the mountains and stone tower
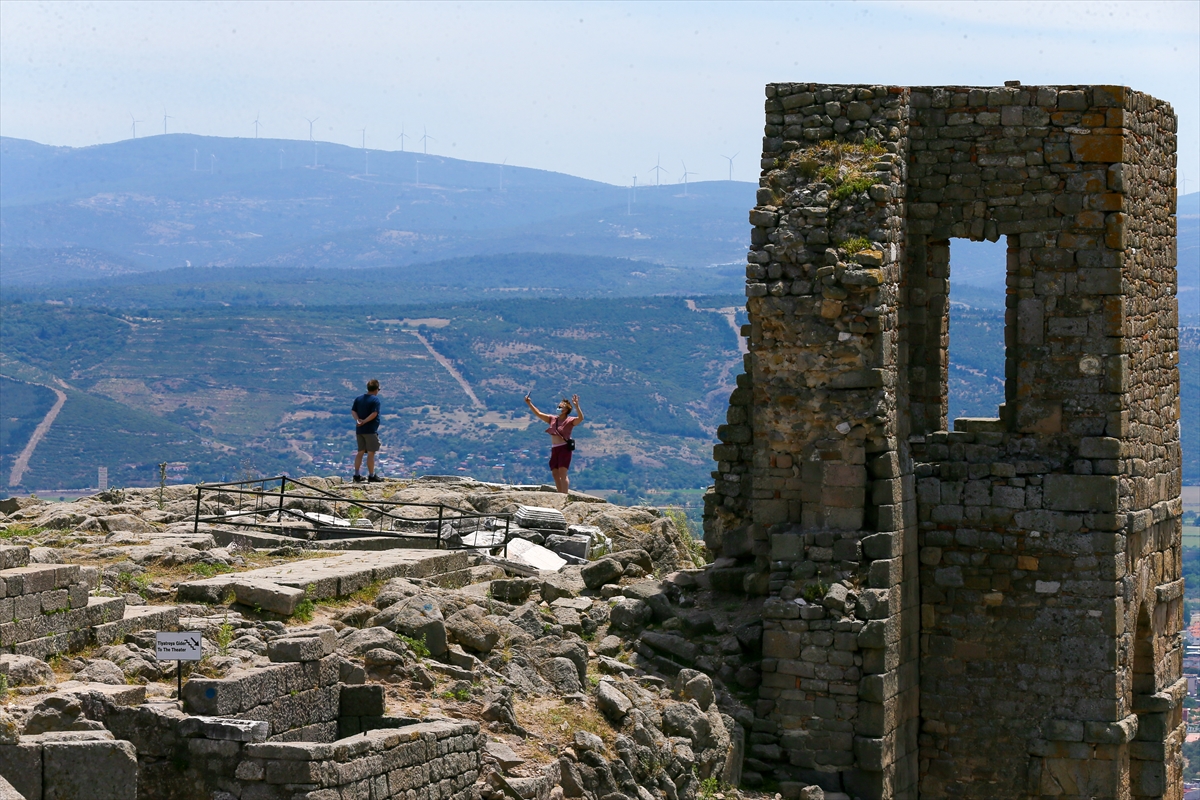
<point>599,91</point>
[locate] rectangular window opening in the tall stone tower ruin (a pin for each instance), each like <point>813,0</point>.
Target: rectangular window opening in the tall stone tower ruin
<point>976,374</point>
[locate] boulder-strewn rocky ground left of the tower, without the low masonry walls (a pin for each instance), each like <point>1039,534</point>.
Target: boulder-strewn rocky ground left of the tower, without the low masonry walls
<point>622,677</point>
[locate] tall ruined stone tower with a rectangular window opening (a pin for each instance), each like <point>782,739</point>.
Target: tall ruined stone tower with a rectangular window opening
<point>968,609</point>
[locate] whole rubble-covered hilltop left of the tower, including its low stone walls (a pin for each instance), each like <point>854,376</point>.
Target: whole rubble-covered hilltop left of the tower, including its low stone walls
<point>621,672</point>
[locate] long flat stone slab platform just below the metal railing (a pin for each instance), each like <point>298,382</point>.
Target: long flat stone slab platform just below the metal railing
<point>337,576</point>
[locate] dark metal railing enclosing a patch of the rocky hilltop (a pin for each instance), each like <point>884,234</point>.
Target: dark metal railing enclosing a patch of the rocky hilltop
<point>260,504</point>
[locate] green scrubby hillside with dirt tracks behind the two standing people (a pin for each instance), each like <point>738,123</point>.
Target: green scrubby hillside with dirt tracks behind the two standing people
<point>229,392</point>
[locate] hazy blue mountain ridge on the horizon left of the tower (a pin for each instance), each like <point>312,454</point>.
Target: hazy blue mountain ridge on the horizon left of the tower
<point>179,201</point>
